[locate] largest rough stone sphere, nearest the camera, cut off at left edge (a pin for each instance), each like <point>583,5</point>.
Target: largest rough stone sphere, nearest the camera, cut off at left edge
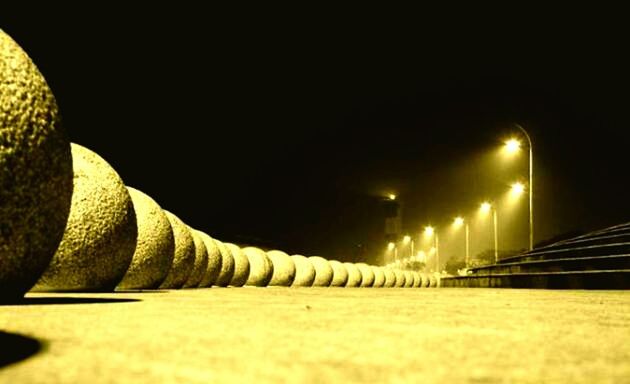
<point>35,172</point>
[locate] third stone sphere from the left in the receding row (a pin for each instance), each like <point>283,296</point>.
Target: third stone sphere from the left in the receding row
<point>155,245</point>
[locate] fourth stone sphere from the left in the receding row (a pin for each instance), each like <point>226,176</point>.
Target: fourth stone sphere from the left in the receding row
<point>184,258</point>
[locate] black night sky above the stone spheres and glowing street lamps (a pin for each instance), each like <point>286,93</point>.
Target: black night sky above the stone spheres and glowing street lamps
<point>255,128</point>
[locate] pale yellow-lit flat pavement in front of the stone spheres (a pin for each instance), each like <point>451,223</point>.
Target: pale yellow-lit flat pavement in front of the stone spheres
<point>322,335</point>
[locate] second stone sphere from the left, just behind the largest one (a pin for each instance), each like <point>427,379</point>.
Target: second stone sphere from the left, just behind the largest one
<point>100,237</point>
